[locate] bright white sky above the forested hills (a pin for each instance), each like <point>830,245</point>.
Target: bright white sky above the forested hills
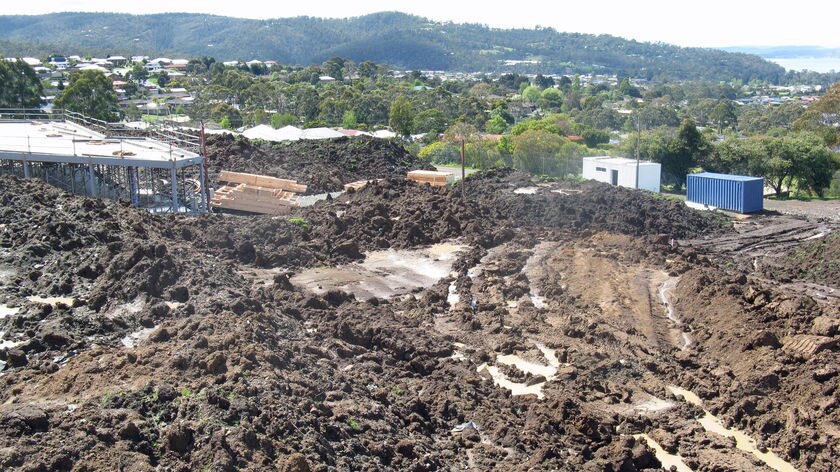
<point>707,23</point>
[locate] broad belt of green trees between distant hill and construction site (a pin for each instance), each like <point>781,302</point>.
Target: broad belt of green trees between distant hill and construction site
<point>537,124</point>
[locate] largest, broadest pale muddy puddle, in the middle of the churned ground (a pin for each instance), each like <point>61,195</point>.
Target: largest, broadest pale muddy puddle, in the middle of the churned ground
<point>384,274</point>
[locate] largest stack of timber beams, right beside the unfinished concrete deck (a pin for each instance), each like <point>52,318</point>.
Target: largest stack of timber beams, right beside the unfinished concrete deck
<point>257,193</point>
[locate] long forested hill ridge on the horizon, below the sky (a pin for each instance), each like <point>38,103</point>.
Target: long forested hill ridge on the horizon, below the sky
<point>397,39</point>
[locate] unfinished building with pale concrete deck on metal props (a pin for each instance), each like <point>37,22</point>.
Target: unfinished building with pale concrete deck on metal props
<point>160,169</point>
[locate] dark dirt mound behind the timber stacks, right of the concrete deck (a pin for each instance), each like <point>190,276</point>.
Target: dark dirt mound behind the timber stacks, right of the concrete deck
<point>323,165</point>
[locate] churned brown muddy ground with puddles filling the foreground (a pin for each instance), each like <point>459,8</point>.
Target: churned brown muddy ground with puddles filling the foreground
<point>564,329</point>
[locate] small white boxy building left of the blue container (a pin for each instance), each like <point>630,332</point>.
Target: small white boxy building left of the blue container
<point>622,171</point>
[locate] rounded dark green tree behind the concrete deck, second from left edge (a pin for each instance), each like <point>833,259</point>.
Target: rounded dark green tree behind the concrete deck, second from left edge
<point>92,94</point>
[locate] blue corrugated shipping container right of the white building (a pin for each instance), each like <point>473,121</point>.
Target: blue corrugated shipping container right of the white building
<point>739,193</point>
